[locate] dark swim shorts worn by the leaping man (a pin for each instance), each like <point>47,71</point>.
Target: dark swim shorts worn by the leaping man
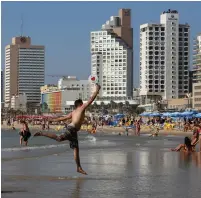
<point>71,135</point>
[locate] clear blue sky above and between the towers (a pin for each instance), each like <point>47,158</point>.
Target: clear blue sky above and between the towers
<point>64,28</point>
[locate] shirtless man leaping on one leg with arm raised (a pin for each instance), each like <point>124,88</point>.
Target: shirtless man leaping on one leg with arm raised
<point>77,117</point>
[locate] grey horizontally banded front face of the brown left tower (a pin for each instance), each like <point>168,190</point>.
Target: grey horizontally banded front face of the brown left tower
<point>31,72</point>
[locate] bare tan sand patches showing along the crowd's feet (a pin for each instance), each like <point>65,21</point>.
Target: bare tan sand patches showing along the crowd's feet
<point>105,129</point>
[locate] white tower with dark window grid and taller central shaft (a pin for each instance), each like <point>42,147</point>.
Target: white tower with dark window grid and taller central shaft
<point>164,58</point>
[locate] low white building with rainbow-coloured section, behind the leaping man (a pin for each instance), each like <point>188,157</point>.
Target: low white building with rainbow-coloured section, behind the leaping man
<point>61,99</point>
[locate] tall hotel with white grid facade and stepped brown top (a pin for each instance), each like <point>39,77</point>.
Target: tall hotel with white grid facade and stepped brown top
<point>112,56</point>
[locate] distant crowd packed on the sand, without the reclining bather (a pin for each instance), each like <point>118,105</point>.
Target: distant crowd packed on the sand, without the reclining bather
<point>153,124</point>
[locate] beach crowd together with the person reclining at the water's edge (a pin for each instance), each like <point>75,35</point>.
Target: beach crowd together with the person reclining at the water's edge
<point>124,124</point>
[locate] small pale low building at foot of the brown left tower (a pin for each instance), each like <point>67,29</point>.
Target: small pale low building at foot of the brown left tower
<point>19,102</point>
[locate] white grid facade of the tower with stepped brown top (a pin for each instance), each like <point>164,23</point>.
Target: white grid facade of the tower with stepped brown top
<point>110,62</point>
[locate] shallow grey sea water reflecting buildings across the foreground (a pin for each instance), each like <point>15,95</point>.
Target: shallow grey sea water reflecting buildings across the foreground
<point>117,166</point>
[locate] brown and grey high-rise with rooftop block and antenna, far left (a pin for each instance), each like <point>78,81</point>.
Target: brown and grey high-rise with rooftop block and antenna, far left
<point>24,70</point>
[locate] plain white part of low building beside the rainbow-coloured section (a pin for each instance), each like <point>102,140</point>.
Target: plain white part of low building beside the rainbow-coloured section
<point>72,84</point>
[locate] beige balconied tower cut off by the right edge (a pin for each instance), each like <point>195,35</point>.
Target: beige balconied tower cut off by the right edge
<point>197,73</point>
